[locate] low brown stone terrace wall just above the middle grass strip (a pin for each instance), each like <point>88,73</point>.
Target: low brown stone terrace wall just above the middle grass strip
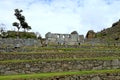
<point>57,55</point>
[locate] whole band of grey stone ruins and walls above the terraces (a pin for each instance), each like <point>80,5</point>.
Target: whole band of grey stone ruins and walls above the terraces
<point>9,44</point>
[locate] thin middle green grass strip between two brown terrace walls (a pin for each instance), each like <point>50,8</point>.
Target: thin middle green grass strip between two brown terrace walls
<point>58,59</point>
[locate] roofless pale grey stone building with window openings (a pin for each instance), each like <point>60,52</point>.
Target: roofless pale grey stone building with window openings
<point>64,39</point>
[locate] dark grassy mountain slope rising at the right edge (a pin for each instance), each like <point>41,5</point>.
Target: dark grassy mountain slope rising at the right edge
<point>111,34</point>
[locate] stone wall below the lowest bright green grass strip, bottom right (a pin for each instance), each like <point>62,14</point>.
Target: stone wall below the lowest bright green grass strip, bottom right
<point>105,76</point>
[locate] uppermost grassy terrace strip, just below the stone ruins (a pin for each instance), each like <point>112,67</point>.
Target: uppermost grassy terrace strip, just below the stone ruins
<point>65,51</point>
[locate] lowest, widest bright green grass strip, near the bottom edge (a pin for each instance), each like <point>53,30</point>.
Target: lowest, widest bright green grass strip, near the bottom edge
<point>46,75</point>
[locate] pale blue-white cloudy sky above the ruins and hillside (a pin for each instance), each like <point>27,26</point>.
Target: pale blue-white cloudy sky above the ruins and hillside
<point>62,16</point>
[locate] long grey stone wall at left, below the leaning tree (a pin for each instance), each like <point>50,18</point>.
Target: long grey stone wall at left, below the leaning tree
<point>9,42</point>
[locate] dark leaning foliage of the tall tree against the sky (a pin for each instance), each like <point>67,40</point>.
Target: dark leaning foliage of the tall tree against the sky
<point>21,19</point>
